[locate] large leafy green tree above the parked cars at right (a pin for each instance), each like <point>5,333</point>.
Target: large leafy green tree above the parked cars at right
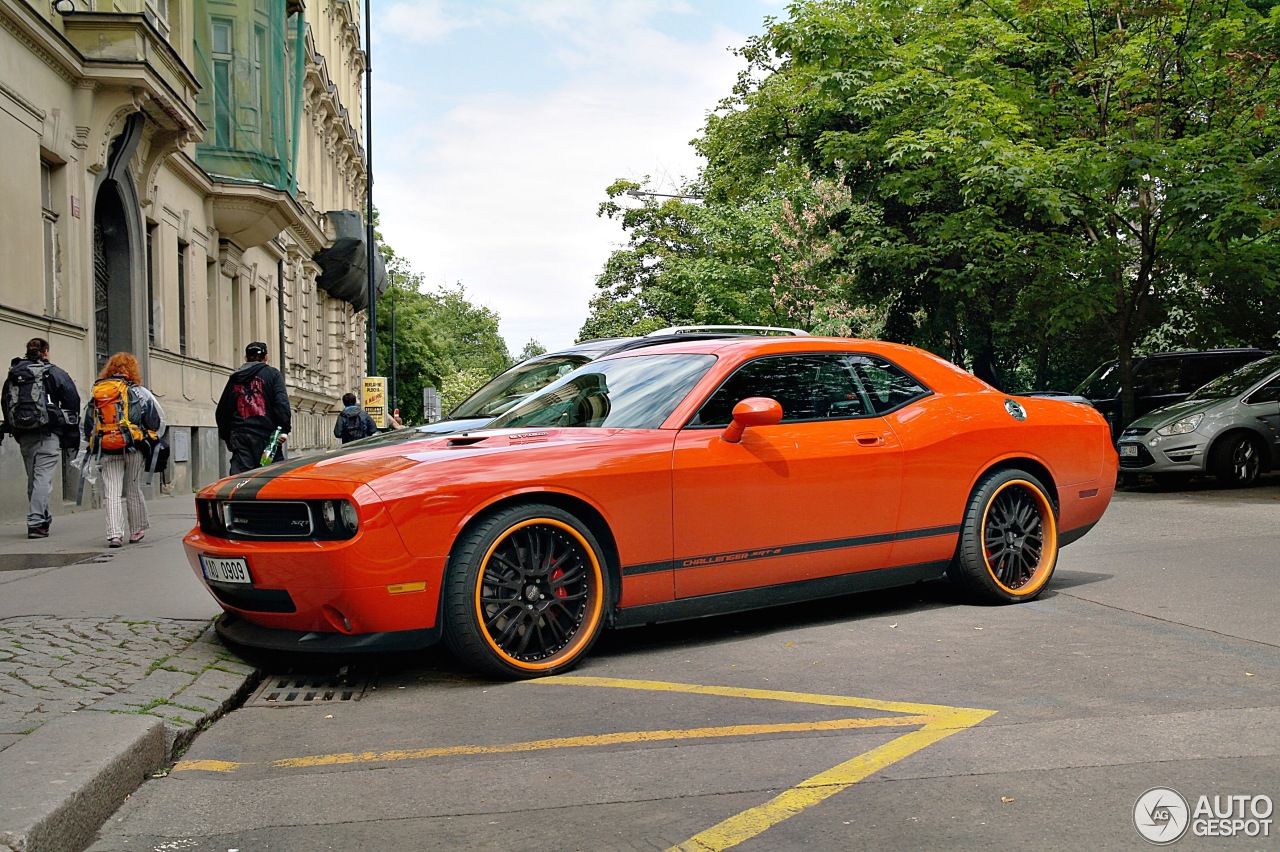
<point>1021,171</point>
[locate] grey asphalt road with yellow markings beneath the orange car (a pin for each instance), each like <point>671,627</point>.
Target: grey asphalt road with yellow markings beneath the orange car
<point>897,721</point>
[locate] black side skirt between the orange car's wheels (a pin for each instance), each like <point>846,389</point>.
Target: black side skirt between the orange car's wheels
<point>748,599</point>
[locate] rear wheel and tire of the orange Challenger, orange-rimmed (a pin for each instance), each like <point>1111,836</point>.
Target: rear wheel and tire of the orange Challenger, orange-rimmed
<point>1008,540</point>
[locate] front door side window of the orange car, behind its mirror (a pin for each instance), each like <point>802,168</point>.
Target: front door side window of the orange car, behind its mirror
<point>808,387</point>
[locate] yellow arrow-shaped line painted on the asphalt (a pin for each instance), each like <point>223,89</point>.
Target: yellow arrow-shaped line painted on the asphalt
<point>936,722</point>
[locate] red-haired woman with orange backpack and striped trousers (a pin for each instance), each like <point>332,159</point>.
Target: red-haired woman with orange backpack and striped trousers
<point>122,416</point>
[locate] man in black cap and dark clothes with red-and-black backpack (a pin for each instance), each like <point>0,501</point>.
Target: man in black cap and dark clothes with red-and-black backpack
<point>254,405</point>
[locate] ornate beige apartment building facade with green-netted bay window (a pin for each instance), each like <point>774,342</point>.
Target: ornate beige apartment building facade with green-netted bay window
<point>184,177</point>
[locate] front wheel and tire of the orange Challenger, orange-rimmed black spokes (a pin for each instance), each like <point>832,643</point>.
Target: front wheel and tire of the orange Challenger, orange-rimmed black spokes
<point>527,592</point>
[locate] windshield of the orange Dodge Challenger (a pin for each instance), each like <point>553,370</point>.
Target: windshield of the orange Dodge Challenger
<point>624,393</point>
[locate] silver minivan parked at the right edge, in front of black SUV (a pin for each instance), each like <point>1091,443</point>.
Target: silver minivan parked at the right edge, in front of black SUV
<point>1229,428</point>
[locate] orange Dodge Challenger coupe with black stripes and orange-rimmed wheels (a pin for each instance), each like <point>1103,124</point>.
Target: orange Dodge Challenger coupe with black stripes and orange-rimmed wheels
<point>653,485</point>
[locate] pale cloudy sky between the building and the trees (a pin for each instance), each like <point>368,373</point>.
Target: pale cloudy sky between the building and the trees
<point>500,123</point>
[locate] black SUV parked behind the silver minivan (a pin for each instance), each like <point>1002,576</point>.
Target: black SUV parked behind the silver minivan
<point>1160,381</point>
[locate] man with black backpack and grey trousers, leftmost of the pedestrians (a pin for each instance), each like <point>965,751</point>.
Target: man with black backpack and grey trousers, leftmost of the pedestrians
<point>40,405</point>
